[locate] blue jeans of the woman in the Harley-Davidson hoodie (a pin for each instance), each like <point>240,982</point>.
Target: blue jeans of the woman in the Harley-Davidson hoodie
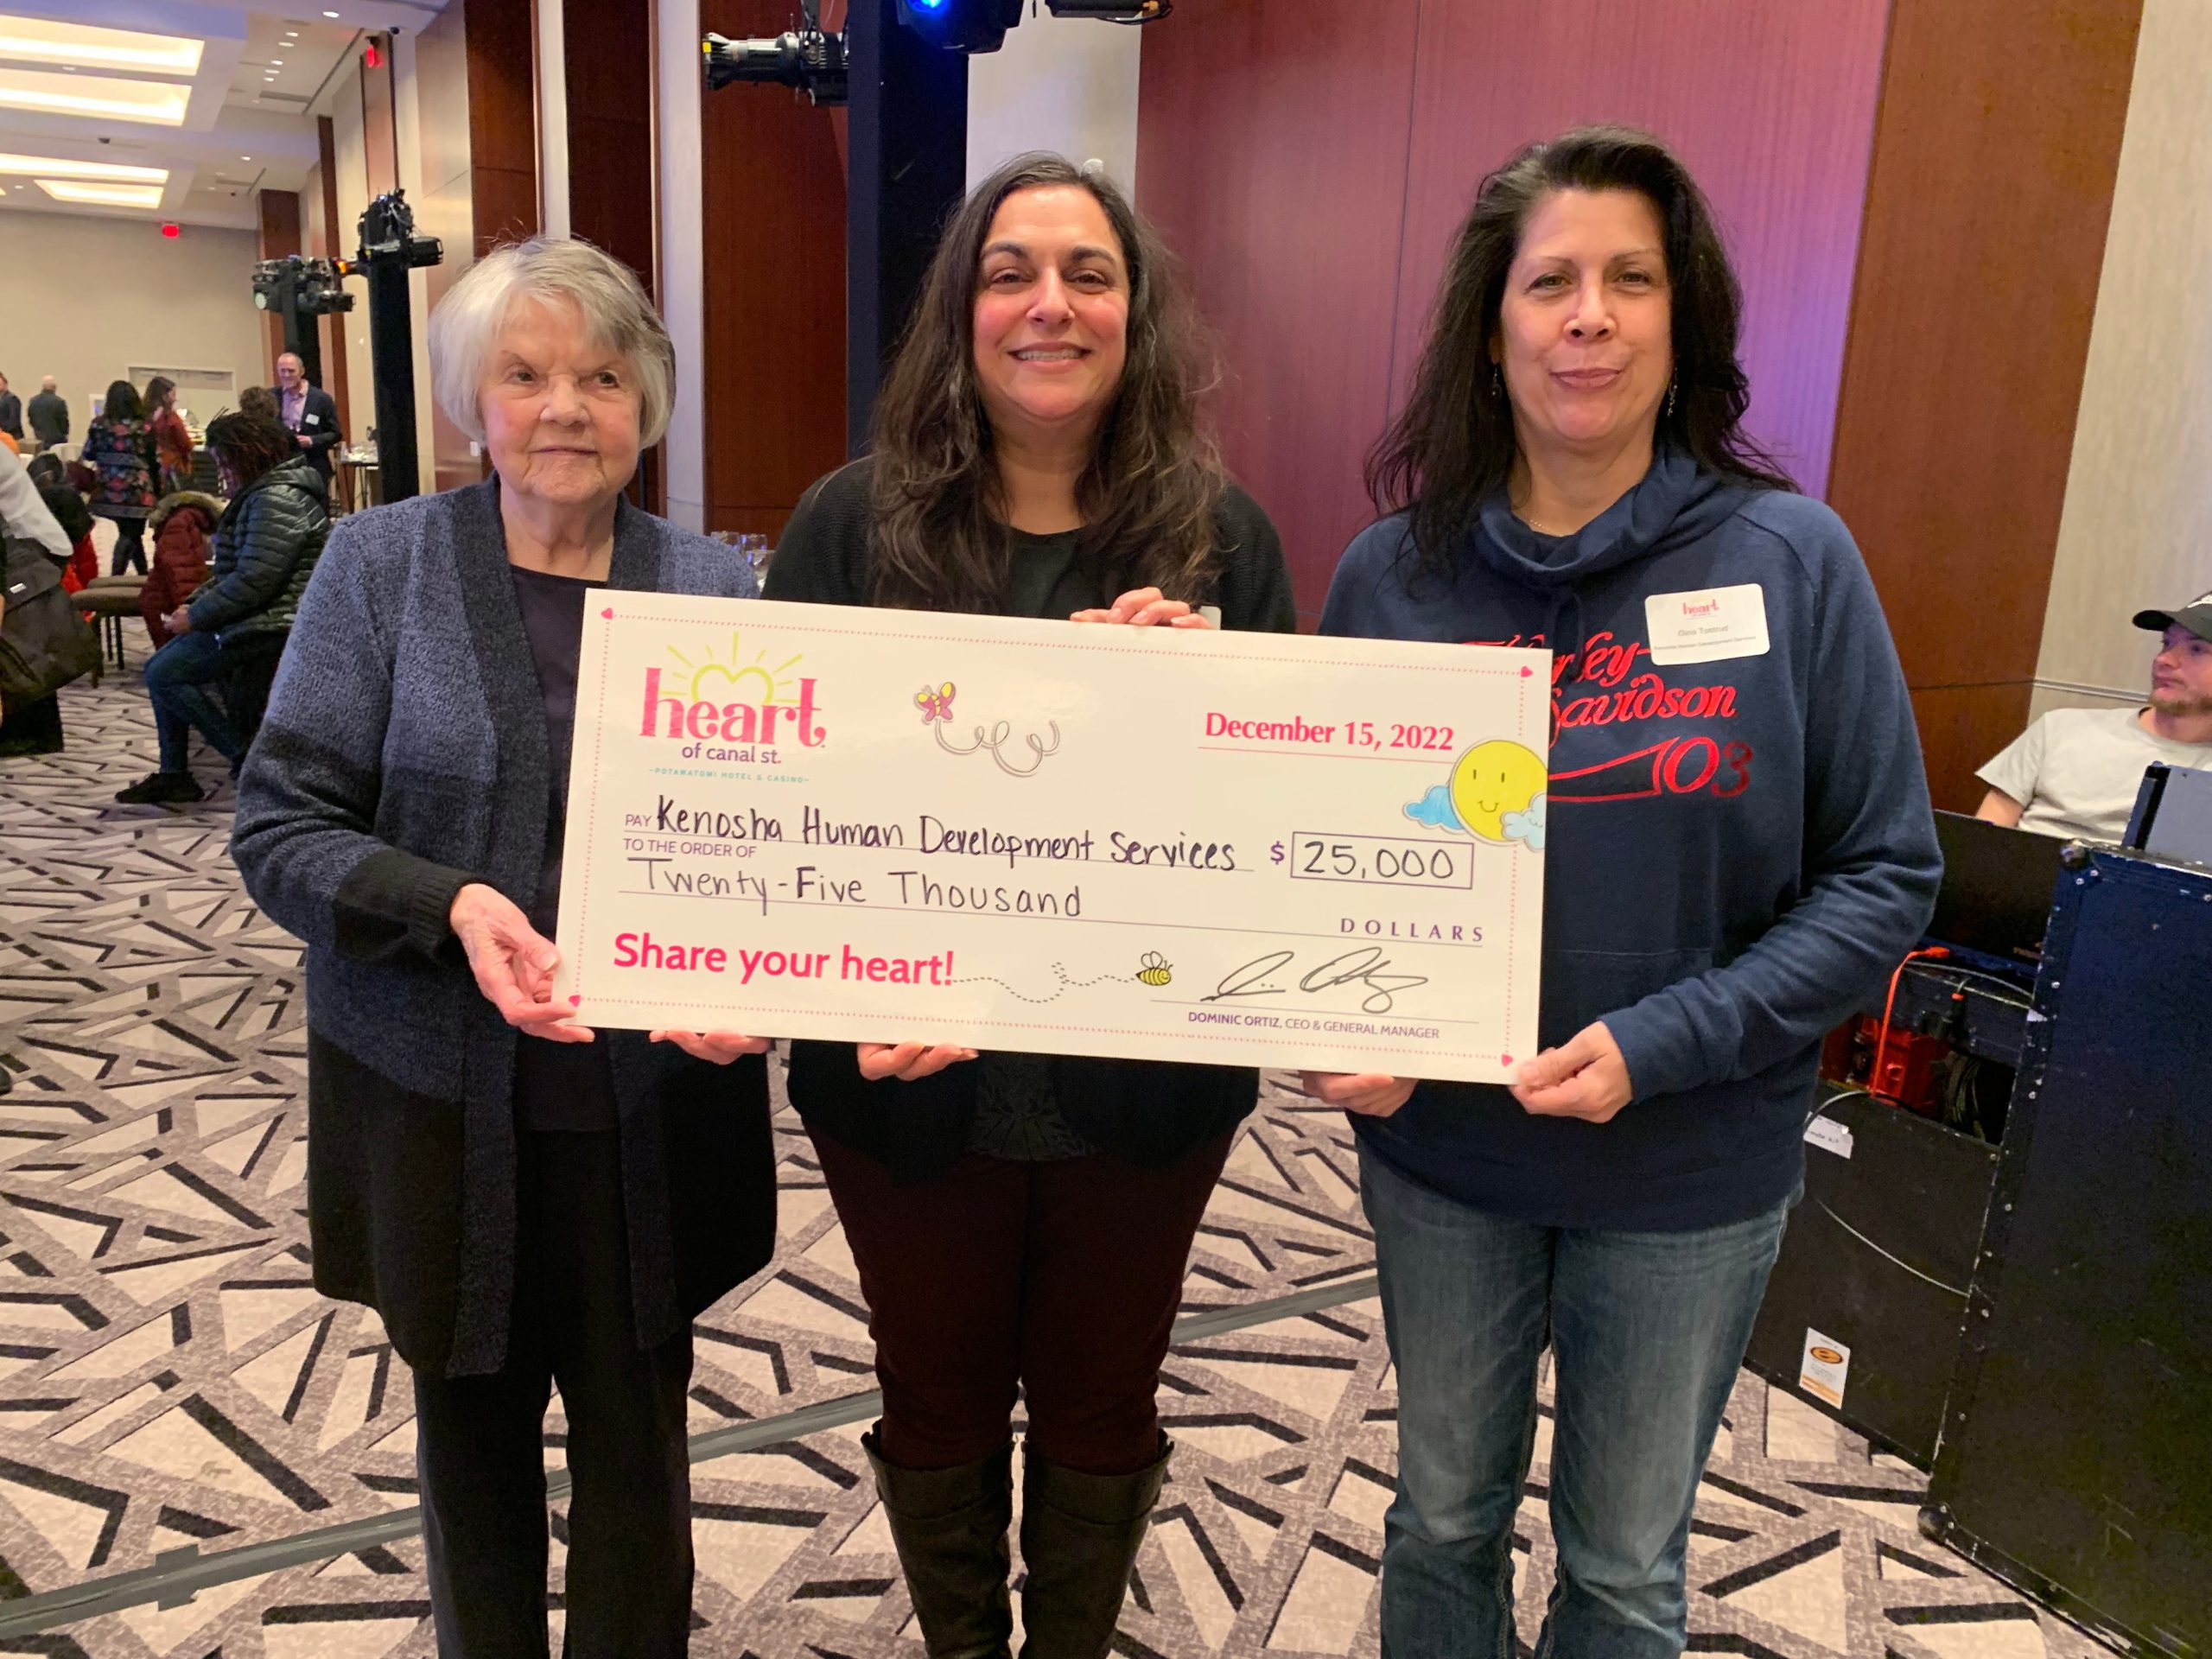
<point>1647,1331</point>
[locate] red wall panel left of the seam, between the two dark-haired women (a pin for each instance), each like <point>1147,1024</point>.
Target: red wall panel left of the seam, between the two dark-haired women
<point>1280,185</point>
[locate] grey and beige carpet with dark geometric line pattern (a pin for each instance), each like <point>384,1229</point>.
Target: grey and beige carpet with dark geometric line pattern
<point>171,1381</point>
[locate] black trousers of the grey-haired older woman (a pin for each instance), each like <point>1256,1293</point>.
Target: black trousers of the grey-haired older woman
<point>479,1439</point>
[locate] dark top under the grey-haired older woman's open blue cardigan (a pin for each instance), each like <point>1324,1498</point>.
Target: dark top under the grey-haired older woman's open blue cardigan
<point>559,1085</point>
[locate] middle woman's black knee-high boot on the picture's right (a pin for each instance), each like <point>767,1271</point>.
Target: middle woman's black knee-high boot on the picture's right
<point>1081,1538</point>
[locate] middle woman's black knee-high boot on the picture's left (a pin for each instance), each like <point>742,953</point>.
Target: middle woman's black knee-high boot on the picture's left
<point>950,1527</point>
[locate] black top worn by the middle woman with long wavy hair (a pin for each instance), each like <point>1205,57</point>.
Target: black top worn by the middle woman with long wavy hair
<point>1140,1109</point>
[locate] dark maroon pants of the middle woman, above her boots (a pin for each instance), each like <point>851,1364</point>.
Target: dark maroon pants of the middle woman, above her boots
<point>1056,1277</point>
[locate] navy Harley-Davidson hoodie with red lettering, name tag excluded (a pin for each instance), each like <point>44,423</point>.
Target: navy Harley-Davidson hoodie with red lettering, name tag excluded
<point>1733,851</point>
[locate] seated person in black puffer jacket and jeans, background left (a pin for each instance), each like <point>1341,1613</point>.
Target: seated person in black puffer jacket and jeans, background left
<point>236,625</point>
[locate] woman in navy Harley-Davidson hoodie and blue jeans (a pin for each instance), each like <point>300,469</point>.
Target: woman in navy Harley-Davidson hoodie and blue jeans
<point>1740,846</point>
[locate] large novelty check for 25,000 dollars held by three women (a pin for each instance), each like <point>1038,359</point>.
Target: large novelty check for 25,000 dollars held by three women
<point>888,826</point>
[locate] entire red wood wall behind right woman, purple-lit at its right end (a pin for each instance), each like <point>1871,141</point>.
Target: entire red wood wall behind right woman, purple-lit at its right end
<point>1315,194</point>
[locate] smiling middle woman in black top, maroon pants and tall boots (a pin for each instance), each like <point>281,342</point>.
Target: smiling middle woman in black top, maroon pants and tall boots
<point>1025,1220</point>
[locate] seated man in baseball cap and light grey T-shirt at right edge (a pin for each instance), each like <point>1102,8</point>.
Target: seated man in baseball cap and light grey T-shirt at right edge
<point>2076,773</point>
